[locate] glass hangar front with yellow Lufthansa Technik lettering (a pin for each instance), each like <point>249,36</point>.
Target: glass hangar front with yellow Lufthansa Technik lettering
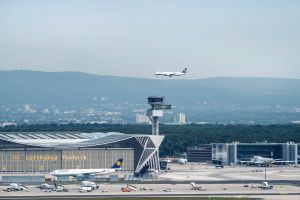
<point>41,160</point>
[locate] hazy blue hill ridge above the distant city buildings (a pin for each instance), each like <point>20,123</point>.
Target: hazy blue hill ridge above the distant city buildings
<point>75,88</point>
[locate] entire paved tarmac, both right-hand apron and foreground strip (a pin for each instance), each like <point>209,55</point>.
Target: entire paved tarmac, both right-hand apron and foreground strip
<point>226,182</point>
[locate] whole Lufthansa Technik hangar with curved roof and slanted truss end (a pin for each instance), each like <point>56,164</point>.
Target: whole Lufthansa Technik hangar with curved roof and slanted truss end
<point>48,151</point>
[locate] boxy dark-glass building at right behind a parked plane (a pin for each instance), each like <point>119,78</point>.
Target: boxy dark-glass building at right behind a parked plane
<point>235,153</point>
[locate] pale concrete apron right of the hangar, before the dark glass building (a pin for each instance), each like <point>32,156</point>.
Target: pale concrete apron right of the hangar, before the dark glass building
<point>202,172</point>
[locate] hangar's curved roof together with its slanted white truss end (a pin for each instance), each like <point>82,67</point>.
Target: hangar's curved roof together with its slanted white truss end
<point>64,140</point>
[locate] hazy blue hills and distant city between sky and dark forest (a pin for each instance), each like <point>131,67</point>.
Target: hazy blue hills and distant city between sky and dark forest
<point>39,97</point>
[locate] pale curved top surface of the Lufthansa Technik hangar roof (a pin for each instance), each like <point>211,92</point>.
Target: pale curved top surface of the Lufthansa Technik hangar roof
<point>63,139</point>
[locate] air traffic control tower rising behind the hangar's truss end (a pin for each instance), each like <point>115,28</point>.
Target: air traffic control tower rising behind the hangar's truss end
<point>157,106</point>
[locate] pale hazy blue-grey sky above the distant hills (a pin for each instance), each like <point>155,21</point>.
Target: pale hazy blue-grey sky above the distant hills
<point>257,38</point>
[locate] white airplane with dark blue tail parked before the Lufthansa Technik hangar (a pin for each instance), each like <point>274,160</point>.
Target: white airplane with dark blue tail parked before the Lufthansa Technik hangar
<point>87,172</point>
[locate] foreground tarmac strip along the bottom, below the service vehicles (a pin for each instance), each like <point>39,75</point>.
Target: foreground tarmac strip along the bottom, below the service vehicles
<point>232,190</point>
